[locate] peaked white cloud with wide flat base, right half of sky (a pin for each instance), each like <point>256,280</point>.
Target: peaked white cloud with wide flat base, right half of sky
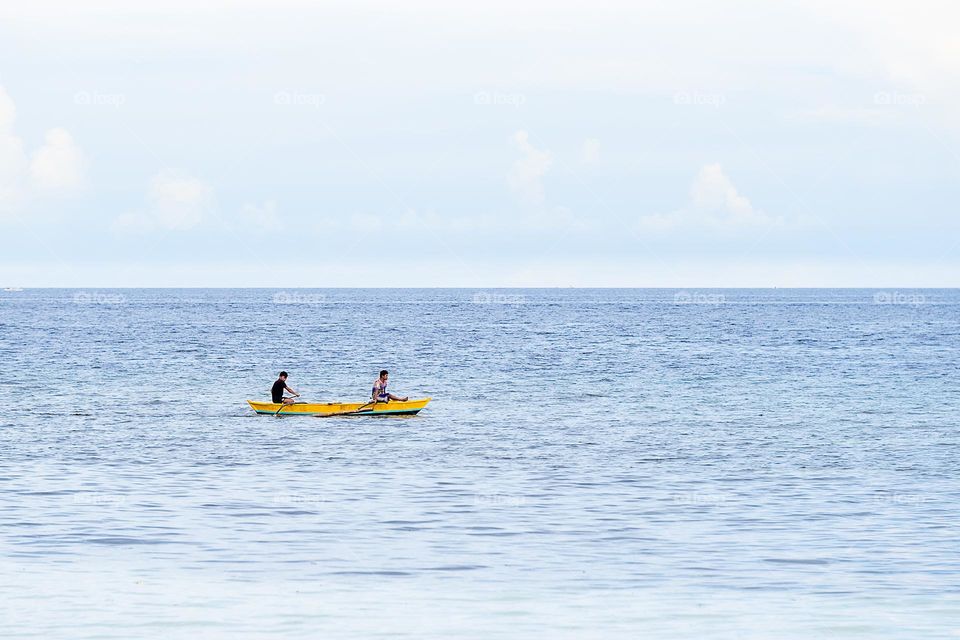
<point>714,203</point>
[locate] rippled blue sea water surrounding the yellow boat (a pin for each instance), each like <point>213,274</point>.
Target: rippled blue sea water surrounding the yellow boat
<point>595,464</point>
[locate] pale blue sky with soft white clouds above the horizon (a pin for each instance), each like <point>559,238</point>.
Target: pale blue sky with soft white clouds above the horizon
<point>515,144</point>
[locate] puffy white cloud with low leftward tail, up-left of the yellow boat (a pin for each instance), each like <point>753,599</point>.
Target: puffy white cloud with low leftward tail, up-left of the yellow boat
<point>175,202</point>
